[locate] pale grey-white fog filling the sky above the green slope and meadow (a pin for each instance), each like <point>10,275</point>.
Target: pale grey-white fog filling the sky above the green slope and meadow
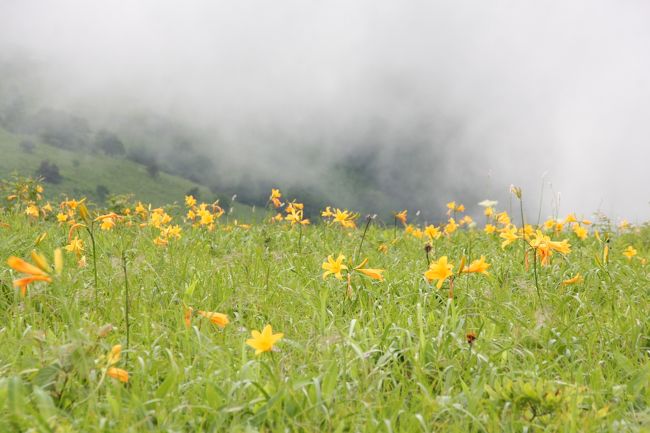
<point>369,104</point>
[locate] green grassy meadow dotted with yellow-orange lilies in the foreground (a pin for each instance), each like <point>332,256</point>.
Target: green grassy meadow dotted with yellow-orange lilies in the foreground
<point>182,319</point>
